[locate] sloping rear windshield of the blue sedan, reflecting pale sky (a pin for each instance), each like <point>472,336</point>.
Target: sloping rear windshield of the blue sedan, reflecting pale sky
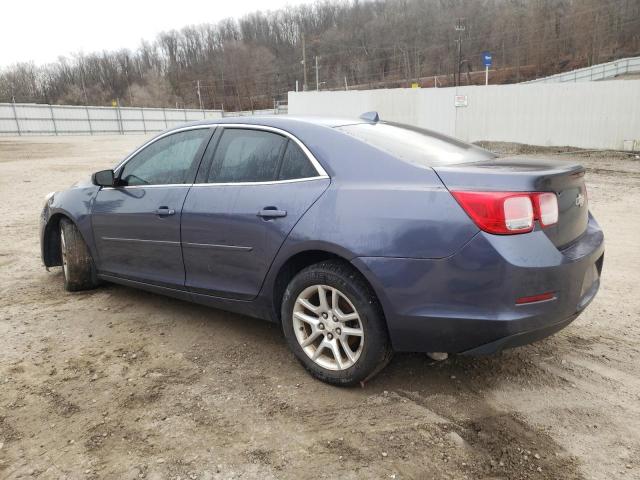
<point>418,146</point>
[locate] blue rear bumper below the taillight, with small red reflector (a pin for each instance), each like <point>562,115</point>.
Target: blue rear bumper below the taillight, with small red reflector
<point>466,303</point>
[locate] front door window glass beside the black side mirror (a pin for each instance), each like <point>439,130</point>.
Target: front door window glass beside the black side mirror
<point>170,160</point>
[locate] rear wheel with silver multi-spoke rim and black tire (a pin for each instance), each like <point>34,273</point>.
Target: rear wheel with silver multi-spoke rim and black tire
<point>357,323</point>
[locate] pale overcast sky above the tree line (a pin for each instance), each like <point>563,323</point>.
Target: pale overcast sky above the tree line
<point>42,30</point>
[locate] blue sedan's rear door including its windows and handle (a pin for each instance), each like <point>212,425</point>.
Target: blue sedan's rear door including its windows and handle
<point>257,184</point>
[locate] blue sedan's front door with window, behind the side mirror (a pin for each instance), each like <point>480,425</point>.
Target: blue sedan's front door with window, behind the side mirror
<point>136,225</point>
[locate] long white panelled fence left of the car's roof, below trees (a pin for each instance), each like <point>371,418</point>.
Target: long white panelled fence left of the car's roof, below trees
<point>36,119</point>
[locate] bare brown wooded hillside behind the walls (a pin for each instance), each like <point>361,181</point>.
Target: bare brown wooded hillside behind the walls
<point>252,62</point>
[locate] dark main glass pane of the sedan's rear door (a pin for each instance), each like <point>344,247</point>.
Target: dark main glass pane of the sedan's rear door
<point>246,156</point>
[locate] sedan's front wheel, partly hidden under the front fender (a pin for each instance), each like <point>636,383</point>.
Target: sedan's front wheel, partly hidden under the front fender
<point>77,265</point>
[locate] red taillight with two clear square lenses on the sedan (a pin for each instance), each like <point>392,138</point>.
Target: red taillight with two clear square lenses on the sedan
<point>507,213</point>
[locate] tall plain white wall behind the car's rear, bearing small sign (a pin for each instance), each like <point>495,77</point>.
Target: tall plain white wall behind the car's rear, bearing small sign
<point>603,115</point>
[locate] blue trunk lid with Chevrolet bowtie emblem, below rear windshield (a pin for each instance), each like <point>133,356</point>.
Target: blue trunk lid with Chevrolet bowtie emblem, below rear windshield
<point>528,175</point>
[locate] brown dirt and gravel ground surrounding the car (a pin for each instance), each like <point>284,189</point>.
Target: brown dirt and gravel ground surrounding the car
<point>118,383</point>
